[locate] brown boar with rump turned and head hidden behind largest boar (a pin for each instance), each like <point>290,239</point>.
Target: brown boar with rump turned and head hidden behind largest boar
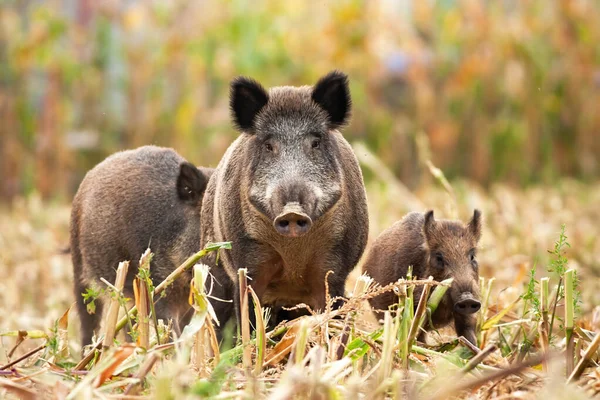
<point>135,199</point>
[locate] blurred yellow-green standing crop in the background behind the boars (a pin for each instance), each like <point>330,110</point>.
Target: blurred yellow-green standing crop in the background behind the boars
<point>503,90</point>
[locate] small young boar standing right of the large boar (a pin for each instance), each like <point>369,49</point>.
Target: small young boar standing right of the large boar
<point>441,249</point>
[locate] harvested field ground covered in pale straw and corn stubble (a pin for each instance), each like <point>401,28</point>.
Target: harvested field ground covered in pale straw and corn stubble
<point>521,227</point>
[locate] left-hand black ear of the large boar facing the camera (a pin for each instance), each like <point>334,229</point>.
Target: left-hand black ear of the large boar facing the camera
<point>247,97</point>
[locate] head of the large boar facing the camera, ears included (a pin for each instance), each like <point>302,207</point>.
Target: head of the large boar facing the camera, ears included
<point>294,163</point>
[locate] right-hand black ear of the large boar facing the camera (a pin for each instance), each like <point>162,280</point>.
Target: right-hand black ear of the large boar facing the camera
<point>332,93</point>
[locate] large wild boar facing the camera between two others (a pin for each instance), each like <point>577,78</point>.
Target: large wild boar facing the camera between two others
<point>288,194</point>
